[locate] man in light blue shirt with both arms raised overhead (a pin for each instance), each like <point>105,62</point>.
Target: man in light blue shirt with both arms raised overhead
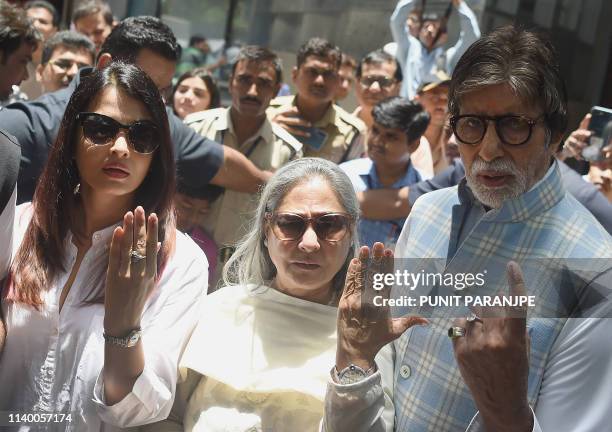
<point>421,58</point>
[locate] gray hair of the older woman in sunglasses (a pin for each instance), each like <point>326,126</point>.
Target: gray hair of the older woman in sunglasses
<point>251,263</point>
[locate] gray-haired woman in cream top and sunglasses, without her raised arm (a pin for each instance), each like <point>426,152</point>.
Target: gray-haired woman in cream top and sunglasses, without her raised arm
<point>259,357</point>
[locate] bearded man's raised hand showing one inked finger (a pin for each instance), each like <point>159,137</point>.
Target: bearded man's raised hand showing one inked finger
<point>493,358</point>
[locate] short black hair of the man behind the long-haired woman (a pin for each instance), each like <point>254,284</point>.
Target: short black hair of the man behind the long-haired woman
<point>136,33</point>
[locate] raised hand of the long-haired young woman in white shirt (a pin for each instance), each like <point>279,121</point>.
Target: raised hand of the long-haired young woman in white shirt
<point>132,269</point>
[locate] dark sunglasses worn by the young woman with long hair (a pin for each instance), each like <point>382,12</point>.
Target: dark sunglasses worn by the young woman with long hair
<point>143,135</point>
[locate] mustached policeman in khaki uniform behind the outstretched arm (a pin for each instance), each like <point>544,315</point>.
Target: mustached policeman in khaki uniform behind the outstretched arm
<point>255,80</point>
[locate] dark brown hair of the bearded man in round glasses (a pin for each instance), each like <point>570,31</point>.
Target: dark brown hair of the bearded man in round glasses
<point>522,59</point>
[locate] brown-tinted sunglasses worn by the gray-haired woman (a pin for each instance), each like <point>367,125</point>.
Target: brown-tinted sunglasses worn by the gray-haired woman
<point>331,227</point>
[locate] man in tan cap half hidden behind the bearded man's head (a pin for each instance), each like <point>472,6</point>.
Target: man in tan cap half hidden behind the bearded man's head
<point>434,98</point>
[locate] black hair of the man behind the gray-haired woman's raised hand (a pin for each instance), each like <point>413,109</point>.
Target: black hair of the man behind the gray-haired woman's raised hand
<point>403,114</point>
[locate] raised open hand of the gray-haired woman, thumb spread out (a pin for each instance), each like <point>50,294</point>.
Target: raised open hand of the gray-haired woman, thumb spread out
<point>363,328</point>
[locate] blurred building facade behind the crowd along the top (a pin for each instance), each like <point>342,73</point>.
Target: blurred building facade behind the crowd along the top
<point>580,29</point>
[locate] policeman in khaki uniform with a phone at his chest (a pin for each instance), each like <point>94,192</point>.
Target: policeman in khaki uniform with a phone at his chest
<point>325,129</point>
